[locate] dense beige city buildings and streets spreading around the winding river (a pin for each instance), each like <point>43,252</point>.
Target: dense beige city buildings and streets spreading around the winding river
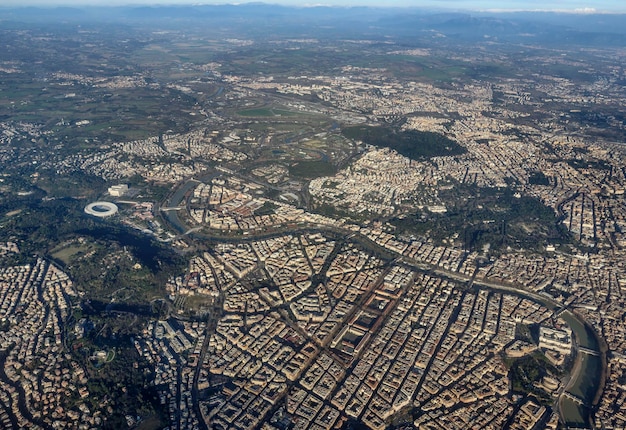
<point>313,319</point>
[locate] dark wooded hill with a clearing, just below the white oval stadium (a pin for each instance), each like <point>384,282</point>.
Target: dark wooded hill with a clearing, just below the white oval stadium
<point>46,228</point>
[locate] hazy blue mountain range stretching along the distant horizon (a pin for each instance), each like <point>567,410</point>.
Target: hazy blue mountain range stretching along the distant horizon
<point>520,27</point>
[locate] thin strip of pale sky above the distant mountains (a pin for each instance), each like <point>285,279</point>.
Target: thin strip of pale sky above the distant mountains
<point>561,5</point>
